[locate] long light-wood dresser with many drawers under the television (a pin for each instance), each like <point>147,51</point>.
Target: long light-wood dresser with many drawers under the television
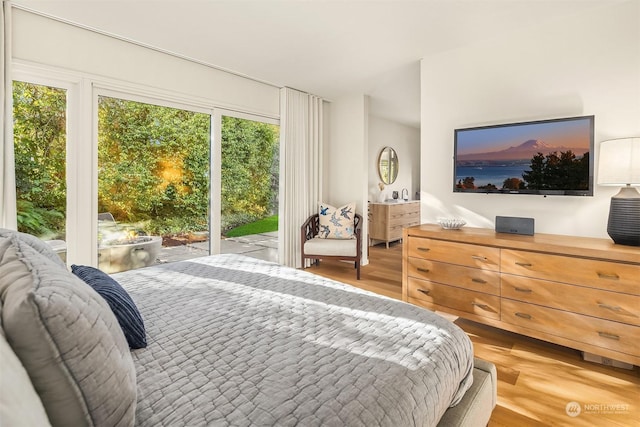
<point>579,292</point>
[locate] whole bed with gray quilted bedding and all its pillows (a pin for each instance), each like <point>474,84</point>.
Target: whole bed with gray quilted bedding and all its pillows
<point>227,341</point>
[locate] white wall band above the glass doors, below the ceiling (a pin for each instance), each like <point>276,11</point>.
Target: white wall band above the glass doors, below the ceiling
<point>41,40</point>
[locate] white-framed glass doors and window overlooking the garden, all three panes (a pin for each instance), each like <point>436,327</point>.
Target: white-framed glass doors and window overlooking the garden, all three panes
<point>159,177</point>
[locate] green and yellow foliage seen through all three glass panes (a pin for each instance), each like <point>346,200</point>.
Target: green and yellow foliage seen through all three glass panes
<point>153,164</point>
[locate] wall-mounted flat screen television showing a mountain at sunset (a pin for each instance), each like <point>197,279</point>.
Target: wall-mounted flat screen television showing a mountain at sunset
<point>547,157</point>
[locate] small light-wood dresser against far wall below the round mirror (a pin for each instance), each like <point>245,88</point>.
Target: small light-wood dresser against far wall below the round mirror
<point>387,220</point>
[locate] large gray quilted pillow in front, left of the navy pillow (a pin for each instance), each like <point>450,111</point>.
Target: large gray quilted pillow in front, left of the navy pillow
<point>67,338</point>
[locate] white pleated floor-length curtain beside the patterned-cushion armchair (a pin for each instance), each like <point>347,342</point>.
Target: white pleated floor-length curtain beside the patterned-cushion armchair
<point>300,168</point>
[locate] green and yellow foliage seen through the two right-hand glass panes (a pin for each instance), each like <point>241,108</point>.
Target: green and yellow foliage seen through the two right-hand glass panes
<point>154,167</point>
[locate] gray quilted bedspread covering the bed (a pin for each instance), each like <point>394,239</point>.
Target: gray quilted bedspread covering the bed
<point>238,341</point>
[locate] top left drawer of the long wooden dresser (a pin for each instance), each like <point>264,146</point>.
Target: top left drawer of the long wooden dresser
<point>477,256</point>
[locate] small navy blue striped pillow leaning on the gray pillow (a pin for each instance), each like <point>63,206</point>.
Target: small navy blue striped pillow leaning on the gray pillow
<point>119,301</point>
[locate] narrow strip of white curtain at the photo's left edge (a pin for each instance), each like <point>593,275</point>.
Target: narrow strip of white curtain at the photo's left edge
<point>7,177</point>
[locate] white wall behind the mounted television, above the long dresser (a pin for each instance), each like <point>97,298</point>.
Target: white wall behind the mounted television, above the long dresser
<point>586,65</point>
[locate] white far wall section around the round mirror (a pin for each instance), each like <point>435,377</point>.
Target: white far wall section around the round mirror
<point>405,140</point>
